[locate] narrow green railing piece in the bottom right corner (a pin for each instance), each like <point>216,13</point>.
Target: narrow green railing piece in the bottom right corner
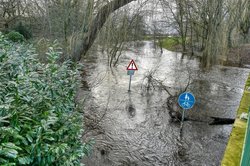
<point>245,159</point>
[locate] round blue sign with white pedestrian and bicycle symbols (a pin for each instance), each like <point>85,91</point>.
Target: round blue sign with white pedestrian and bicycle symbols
<point>186,100</point>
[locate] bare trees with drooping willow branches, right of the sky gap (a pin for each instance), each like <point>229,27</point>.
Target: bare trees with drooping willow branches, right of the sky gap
<point>210,28</point>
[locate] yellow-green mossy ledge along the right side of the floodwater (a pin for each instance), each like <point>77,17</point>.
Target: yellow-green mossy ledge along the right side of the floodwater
<point>233,152</point>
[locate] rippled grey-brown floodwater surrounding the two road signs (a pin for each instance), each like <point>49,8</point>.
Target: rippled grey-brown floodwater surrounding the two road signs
<point>135,129</point>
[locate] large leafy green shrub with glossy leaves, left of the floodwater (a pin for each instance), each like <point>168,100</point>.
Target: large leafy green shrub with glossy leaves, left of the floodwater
<point>39,120</point>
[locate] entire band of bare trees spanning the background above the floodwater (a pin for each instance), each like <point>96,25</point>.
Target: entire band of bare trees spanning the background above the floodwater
<point>208,28</point>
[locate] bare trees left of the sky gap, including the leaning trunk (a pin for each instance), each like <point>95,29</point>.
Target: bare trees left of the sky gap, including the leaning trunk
<point>74,23</point>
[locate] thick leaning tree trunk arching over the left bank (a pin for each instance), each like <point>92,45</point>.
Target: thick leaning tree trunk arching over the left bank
<point>87,39</point>
